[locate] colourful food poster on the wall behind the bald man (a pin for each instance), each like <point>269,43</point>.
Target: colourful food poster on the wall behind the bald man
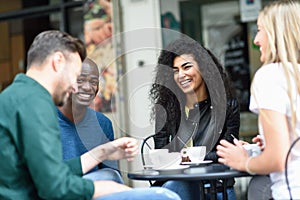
<point>98,30</point>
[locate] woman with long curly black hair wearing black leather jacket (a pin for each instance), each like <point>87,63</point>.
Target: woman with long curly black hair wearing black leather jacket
<point>193,105</point>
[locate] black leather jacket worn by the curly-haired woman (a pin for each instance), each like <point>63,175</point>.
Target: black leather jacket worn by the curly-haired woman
<point>199,131</point>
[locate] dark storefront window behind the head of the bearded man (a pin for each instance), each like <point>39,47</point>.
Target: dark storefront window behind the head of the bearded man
<point>21,21</point>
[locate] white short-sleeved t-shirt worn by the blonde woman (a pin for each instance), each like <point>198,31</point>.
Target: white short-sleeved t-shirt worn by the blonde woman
<point>269,91</point>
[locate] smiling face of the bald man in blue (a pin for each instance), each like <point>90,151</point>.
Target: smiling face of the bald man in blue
<point>87,84</point>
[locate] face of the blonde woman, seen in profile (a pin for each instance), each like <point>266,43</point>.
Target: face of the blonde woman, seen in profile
<point>261,39</point>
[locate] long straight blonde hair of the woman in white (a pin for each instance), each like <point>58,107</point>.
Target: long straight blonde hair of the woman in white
<point>281,21</point>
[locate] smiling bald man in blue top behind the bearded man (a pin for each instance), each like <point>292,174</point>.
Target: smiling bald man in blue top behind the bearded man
<point>82,128</point>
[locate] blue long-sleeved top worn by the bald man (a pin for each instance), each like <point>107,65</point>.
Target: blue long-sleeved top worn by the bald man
<point>78,138</point>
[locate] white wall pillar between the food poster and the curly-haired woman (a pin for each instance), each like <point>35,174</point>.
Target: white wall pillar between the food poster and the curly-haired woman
<point>141,35</point>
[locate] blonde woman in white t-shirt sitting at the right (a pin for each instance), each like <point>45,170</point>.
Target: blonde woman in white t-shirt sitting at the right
<point>275,97</point>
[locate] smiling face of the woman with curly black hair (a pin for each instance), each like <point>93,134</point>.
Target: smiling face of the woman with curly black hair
<point>187,75</point>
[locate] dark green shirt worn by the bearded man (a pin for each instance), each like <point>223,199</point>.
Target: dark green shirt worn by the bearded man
<point>32,166</point>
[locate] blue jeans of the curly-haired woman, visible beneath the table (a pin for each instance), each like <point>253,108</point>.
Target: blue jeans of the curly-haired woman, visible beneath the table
<point>190,190</point>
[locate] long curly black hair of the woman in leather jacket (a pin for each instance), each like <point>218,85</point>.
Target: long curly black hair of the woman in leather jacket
<point>165,95</point>
